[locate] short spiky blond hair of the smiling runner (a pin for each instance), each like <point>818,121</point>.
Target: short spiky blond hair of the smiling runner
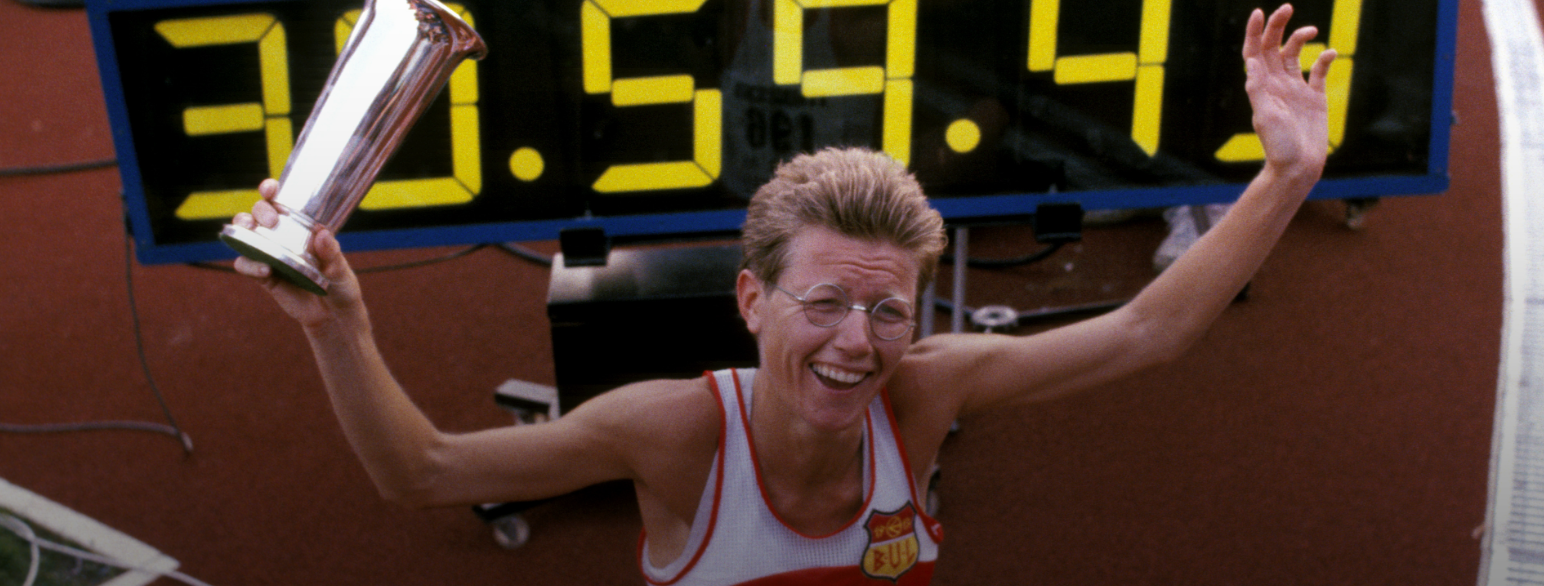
<point>855,192</point>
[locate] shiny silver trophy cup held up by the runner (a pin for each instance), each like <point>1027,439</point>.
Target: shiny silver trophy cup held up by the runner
<point>394,64</point>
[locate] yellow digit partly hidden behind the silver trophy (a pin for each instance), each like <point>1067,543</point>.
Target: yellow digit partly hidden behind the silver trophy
<point>466,181</point>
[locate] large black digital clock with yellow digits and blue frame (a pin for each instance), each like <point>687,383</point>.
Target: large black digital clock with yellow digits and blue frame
<point>660,118</point>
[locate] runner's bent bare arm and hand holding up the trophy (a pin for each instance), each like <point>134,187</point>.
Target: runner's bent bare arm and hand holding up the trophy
<point>407,457</point>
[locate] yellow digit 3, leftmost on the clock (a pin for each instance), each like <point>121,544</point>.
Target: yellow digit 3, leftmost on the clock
<point>271,116</point>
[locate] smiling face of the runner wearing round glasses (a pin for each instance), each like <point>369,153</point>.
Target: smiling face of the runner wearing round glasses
<point>827,376</point>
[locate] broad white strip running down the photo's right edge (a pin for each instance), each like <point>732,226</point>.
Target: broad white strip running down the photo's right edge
<point>1514,545</point>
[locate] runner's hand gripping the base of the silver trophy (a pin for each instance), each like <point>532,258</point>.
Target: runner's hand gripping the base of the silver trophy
<point>308,309</point>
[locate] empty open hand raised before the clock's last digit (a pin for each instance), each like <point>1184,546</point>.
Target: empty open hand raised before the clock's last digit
<point>1290,113</point>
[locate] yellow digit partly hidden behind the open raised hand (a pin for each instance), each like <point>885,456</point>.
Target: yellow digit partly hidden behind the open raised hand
<point>1346,21</point>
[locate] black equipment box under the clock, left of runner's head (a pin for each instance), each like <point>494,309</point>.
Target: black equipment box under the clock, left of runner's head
<point>646,315</point>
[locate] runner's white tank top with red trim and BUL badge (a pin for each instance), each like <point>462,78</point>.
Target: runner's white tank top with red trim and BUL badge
<point>737,539</point>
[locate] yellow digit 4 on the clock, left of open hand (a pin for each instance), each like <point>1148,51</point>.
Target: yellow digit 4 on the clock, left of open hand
<point>1145,67</point>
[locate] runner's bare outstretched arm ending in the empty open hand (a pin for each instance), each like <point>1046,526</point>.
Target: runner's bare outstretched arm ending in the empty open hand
<point>1173,312</point>
